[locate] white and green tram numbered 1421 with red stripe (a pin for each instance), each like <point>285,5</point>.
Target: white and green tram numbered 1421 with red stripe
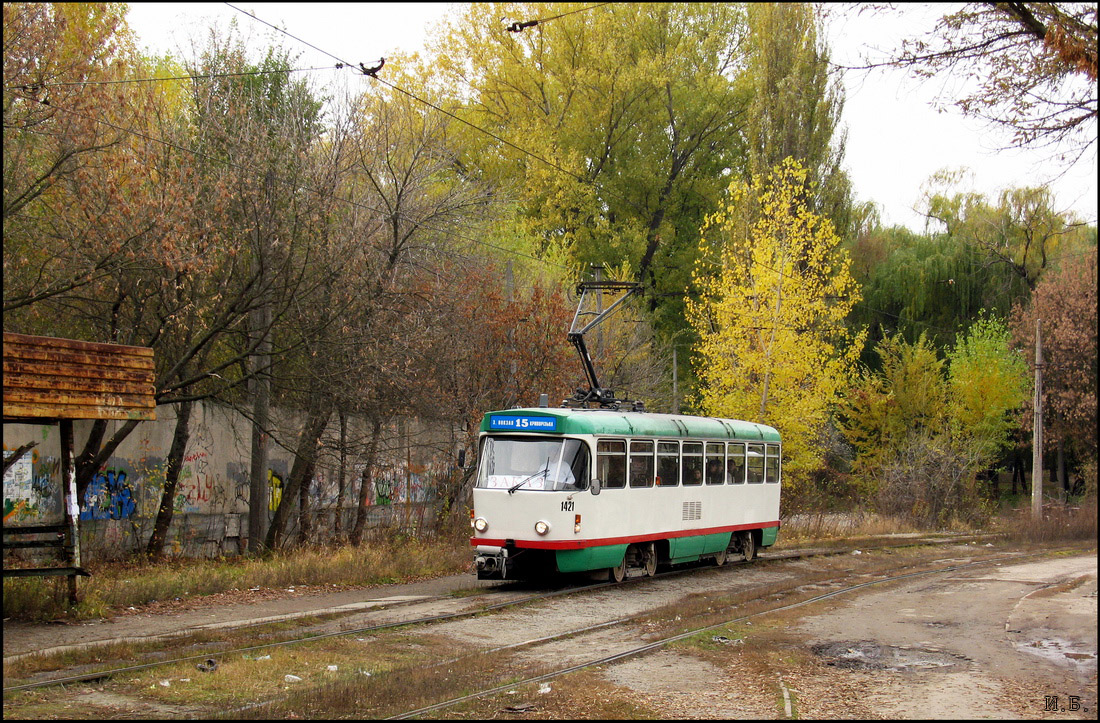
<point>575,490</point>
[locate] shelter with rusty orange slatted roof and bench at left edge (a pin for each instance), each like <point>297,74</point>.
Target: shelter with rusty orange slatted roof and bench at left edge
<point>50,381</point>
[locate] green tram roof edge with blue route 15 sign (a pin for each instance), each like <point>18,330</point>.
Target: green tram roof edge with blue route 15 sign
<point>566,421</point>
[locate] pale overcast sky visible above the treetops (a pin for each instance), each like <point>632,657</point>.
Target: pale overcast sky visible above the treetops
<point>896,139</point>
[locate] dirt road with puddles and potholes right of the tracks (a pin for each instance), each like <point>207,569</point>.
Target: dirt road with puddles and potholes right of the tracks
<point>1008,642</point>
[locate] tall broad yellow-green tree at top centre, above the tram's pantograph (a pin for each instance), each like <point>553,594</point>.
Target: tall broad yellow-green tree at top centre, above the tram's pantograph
<point>615,127</point>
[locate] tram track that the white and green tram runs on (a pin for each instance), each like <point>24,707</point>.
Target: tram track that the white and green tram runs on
<point>427,620</point>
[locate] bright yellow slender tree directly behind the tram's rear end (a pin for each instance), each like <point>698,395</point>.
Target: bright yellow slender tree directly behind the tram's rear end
<point>773,345</point>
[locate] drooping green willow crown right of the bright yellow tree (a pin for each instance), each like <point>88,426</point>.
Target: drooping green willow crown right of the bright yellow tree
<point>976,254</point>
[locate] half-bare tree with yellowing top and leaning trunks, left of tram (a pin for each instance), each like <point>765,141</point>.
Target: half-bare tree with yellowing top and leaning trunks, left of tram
<point>408,204</point>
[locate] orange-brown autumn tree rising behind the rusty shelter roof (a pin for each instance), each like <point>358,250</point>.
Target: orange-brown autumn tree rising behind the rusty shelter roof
<point>95,199</point>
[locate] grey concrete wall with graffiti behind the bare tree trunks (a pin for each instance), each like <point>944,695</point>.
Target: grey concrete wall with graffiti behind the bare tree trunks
<point>212,499</point>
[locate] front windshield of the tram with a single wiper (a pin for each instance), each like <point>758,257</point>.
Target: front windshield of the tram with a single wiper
<point>531,464</point>
